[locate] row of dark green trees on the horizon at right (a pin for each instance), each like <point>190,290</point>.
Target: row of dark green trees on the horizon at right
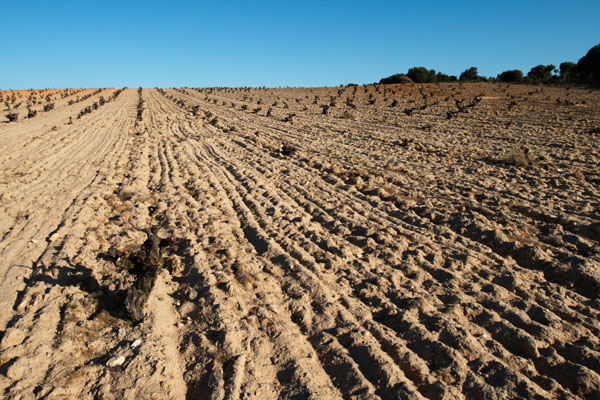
<point>585,71</point>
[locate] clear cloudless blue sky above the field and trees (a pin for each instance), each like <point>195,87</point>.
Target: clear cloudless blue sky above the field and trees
<point>281,43</point>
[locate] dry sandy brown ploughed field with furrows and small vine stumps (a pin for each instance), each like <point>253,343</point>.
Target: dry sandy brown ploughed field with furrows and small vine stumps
<point>392,242</point>
